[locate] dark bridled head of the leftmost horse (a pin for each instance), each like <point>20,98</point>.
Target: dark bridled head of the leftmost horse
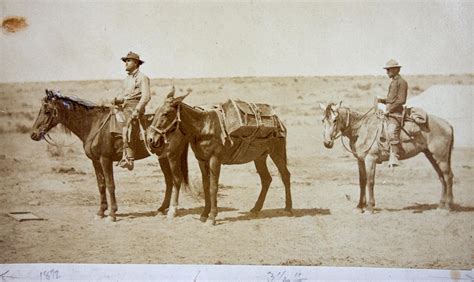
<point>48,116</point>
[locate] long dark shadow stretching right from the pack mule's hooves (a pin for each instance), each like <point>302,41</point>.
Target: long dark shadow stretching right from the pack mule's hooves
<point>273,213</point>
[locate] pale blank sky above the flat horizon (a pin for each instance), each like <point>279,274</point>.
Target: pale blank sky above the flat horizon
<point>68,40</point>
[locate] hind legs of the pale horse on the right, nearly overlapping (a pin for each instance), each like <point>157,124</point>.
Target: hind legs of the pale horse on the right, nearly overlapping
<point>445,175</point>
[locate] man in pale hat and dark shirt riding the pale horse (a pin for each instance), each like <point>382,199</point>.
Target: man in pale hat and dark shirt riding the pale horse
<point>396,98</point>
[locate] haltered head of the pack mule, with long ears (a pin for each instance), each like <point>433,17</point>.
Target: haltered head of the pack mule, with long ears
<point>165,121</point>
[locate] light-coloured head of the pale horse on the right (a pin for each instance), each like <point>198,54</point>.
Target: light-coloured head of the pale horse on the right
<point>331,123</point>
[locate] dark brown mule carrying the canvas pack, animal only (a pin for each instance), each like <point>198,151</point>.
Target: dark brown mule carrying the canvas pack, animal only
<point>176,124</point>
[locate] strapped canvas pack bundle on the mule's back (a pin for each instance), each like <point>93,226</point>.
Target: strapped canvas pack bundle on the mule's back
<point>248,119</point>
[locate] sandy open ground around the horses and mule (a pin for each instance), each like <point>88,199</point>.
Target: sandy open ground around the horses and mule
<point>59,185</point>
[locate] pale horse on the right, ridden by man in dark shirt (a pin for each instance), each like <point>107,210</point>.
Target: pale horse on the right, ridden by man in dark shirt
<point>363,131</point>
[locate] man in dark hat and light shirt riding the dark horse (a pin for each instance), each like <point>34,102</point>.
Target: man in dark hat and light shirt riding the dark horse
<point>134,99</point>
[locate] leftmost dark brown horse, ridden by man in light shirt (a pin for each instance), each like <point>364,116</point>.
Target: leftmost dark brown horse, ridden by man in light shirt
<point>90,123</point>
